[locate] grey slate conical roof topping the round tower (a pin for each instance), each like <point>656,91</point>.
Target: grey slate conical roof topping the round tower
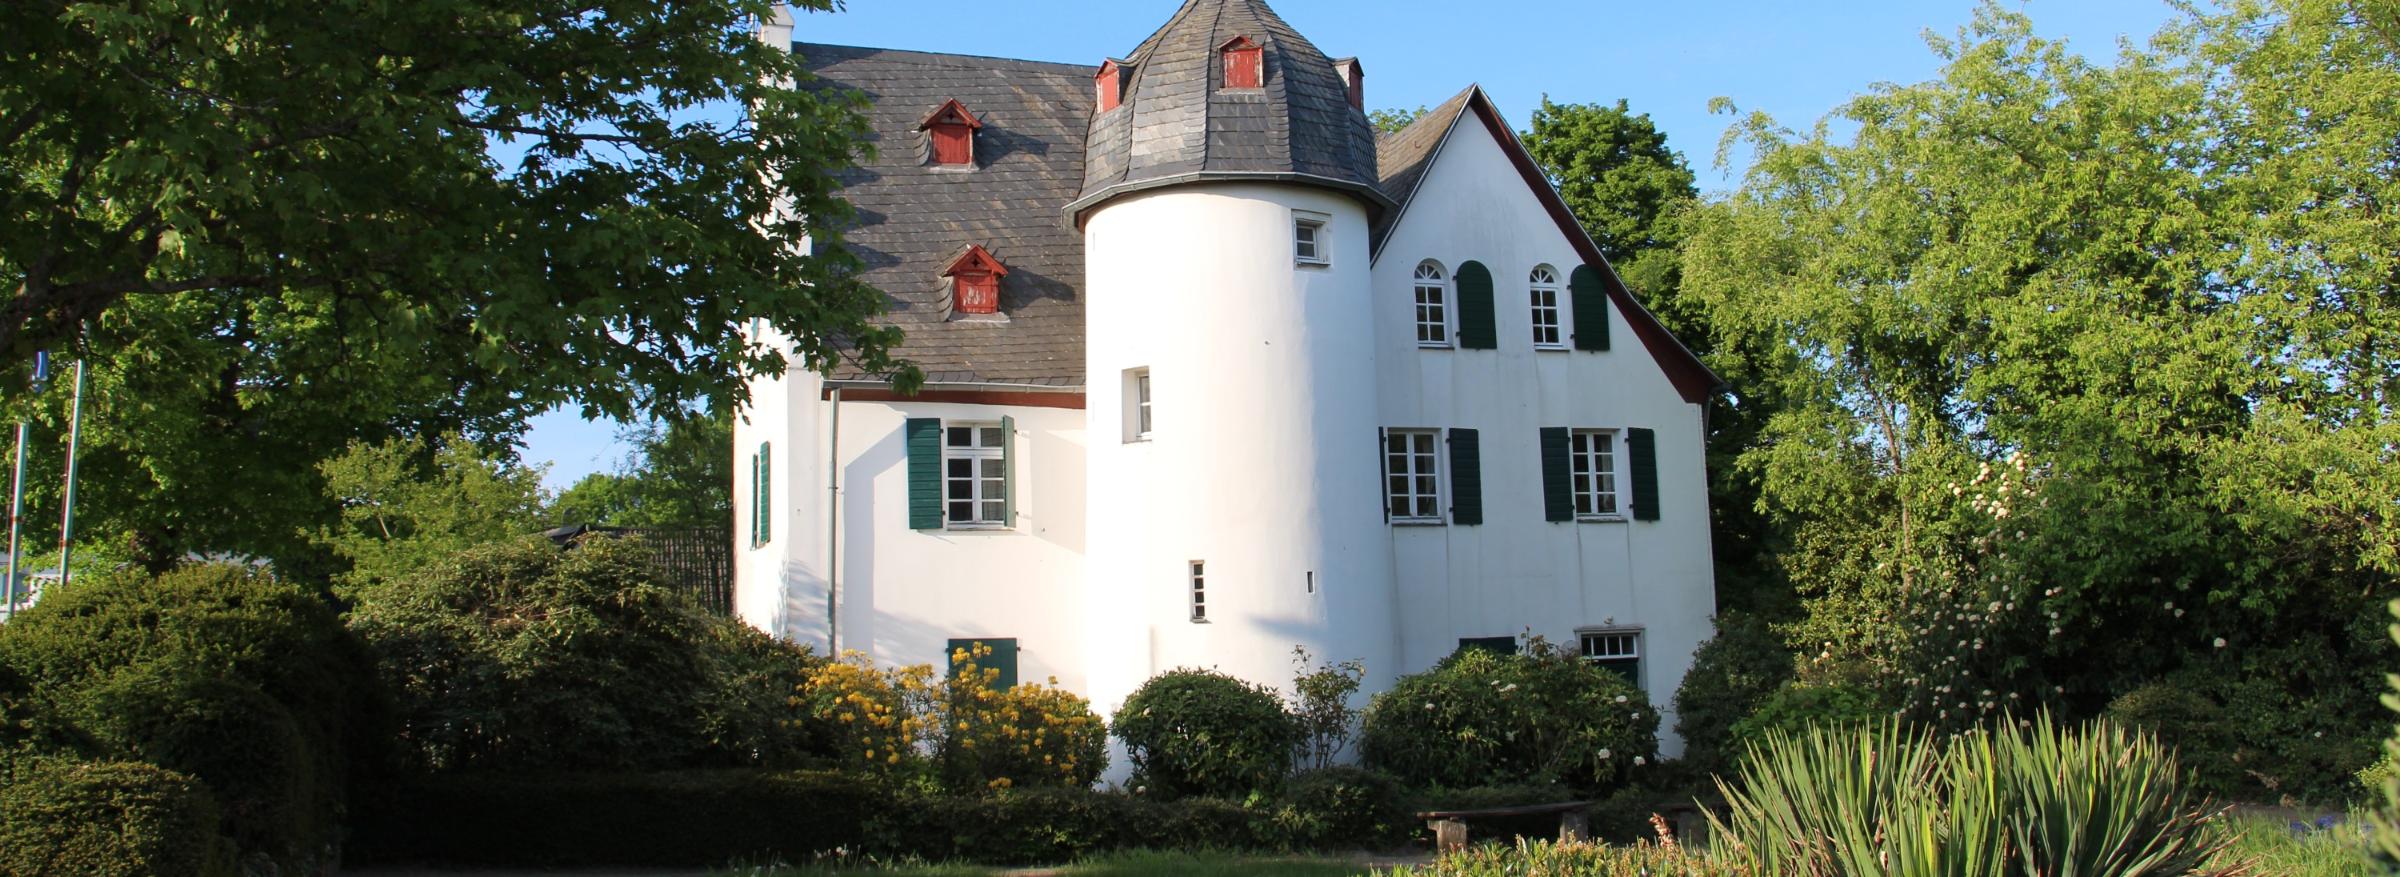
<point>1177,124</point>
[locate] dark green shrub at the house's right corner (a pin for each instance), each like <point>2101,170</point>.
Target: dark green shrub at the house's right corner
<point>1732,676</point>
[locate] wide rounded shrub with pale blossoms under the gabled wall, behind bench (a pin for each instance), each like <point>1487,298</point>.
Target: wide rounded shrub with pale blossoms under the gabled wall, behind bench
<point>1540,717</point>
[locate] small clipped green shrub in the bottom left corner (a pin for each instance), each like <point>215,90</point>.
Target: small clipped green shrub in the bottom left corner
<point>109,821</point>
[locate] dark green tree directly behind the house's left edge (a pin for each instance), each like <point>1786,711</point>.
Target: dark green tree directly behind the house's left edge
<point>680,475</point>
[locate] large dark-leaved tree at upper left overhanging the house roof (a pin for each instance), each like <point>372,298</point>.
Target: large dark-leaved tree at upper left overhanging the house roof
<point>282,227</point>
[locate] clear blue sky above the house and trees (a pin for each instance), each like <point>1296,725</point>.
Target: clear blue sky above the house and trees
<point>1792,59</point>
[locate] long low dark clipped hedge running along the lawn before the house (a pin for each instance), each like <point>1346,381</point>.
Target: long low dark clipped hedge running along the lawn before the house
<point>716,818</point>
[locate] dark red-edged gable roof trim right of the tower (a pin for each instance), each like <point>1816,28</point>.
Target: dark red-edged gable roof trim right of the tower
<point>1410,157</point>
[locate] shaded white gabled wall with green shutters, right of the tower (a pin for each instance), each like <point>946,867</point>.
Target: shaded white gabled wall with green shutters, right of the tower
<point>1518,571</point>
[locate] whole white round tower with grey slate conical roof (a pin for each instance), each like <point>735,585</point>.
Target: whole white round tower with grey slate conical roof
<point>1235,467</point>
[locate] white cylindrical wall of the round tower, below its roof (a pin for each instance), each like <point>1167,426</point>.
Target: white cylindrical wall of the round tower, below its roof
<point>1264,386</point>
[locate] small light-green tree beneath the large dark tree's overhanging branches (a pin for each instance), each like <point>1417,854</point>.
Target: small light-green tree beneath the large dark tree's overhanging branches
<point>412,503</point>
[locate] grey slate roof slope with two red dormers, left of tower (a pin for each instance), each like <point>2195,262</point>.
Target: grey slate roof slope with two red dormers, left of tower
<point>913,220</point>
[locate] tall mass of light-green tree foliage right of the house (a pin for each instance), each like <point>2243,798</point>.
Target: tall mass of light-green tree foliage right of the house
<point>2082,374</point>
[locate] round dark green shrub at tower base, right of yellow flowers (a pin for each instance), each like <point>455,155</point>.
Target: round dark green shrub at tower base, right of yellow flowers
<point>1206,734</point>
